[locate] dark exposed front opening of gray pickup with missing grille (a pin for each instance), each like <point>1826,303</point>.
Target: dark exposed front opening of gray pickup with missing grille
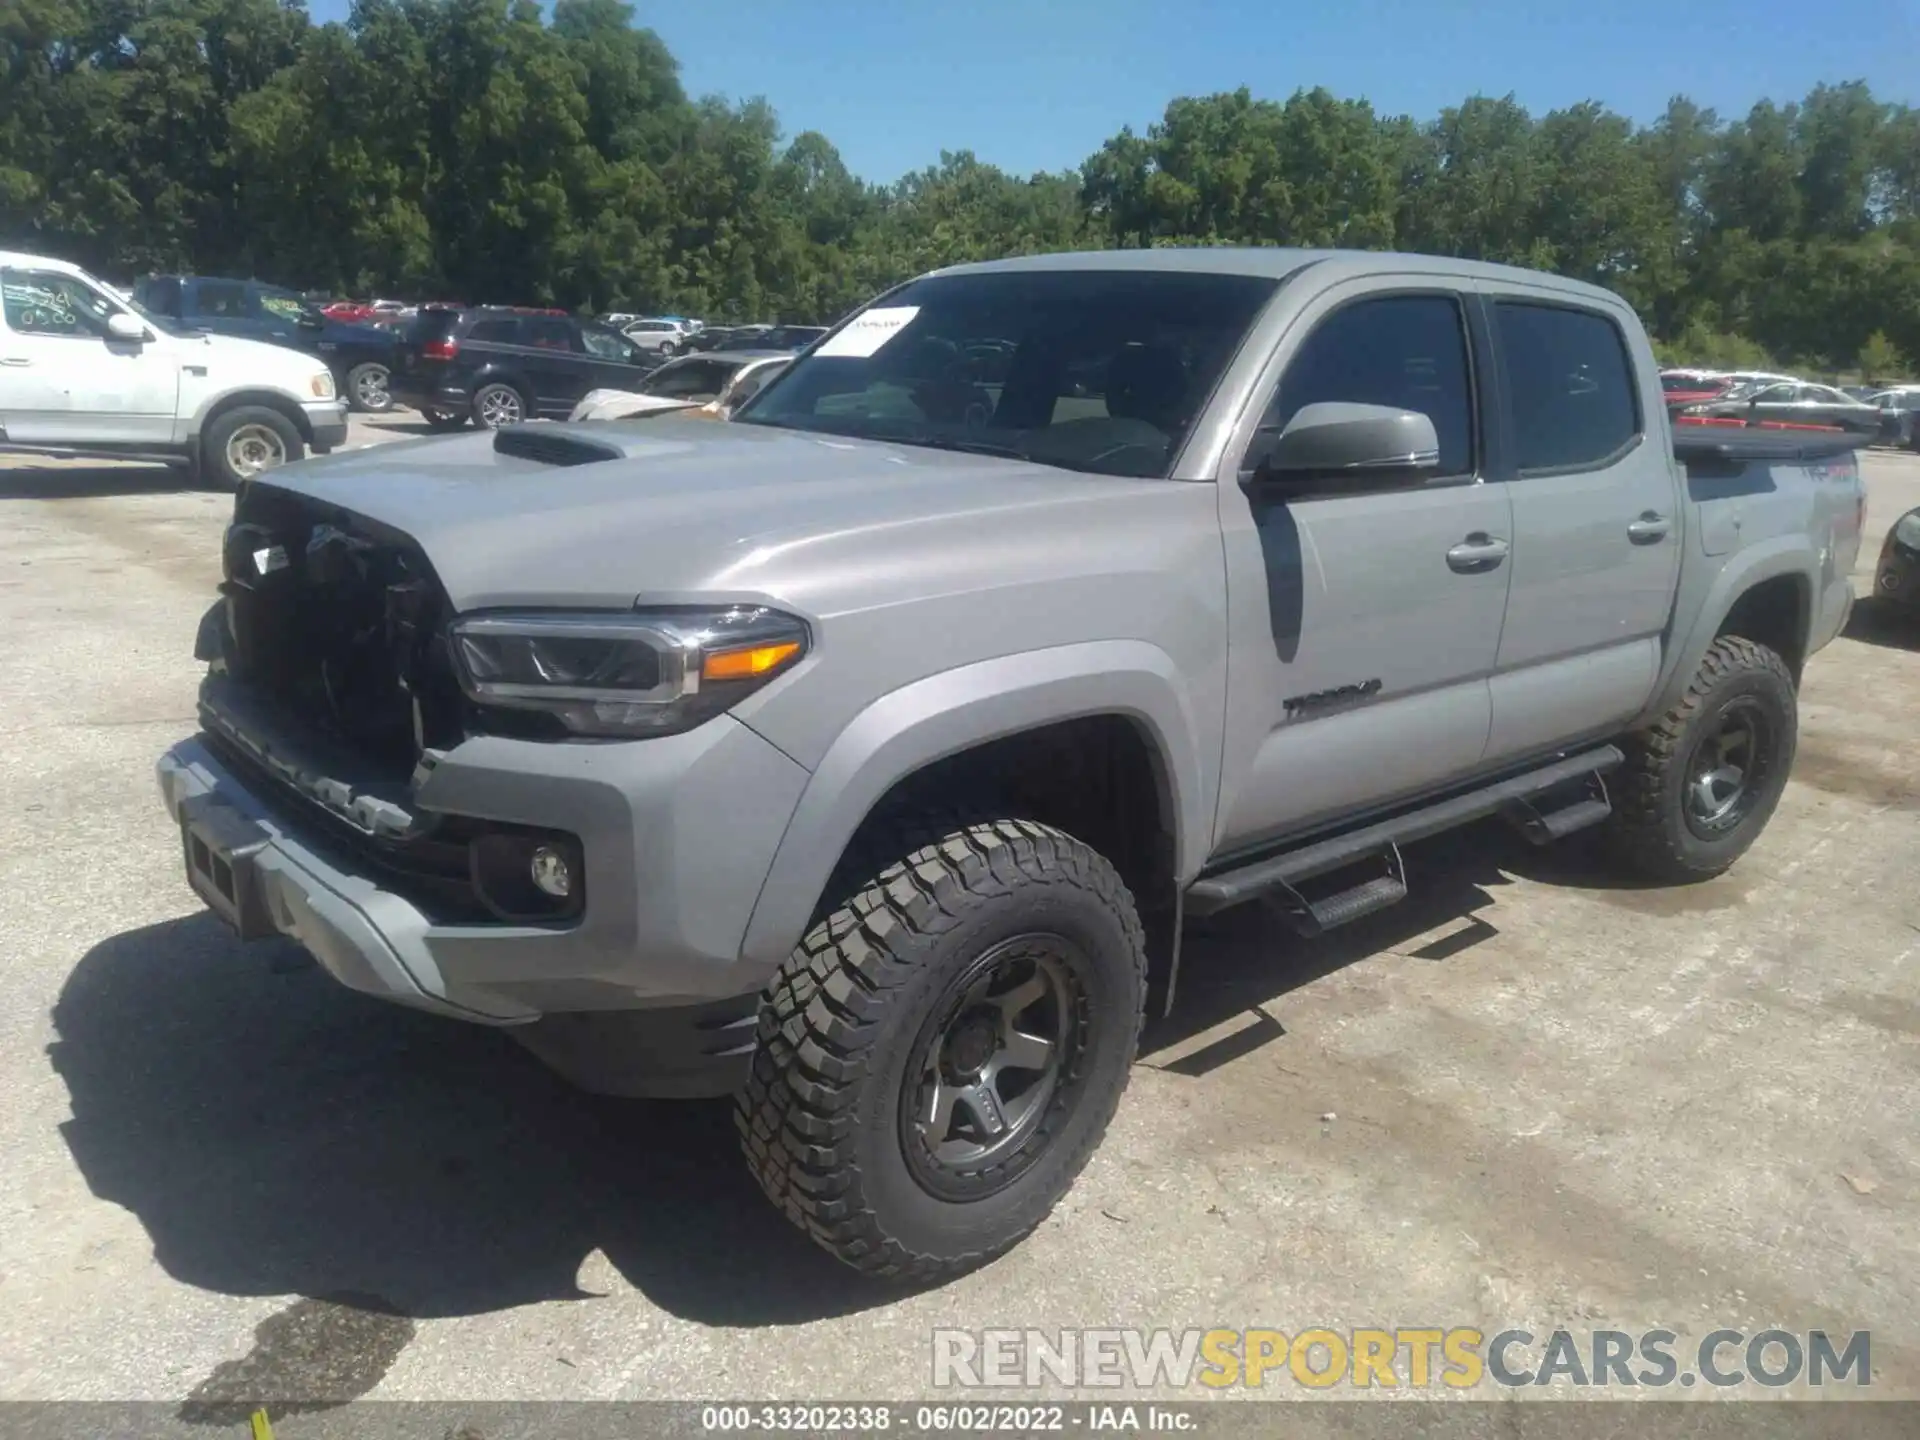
<point>329,679</point>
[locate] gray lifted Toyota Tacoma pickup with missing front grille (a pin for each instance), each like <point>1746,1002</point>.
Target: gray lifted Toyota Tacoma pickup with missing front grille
<point>863,756</point>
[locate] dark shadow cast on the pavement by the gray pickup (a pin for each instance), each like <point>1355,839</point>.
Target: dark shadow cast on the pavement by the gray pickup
<point>277,1134</point>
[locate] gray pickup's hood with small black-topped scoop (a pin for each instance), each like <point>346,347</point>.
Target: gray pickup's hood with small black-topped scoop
<point>673,510</point>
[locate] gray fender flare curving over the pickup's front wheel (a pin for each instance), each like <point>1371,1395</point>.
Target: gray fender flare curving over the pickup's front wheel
<point>955,711</point>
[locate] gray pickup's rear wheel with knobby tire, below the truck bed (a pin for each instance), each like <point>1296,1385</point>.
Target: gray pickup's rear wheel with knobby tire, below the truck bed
<point>1702,782</point>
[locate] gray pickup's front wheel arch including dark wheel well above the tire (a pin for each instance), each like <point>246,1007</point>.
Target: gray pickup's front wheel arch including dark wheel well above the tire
<point>1026,727</point>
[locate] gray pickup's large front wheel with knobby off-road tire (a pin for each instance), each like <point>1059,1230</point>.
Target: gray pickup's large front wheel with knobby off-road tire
<point>946,1049</point>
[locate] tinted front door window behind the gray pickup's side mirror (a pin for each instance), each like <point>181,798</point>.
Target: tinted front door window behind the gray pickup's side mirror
<point>1408,352</point>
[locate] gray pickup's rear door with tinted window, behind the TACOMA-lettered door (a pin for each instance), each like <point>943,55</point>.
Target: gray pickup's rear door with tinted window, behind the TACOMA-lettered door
<point>1596,519</point>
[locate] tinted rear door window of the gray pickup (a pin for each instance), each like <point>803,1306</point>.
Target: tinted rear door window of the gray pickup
<point>1572,387</point>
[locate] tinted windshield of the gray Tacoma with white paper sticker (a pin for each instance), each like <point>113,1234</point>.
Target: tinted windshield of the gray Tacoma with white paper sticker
<point>1084,370</point>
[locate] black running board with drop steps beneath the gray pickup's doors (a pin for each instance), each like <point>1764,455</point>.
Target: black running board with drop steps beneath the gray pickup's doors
<point>1282,875</point>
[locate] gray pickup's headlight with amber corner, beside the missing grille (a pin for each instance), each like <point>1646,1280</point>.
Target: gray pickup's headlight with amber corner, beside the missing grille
<point>625,677</point>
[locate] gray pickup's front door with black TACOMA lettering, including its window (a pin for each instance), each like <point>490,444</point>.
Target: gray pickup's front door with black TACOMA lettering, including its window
<point>1366,617</point>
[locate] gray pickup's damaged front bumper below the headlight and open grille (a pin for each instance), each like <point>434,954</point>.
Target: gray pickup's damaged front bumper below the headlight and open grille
<point>677,832</point>
